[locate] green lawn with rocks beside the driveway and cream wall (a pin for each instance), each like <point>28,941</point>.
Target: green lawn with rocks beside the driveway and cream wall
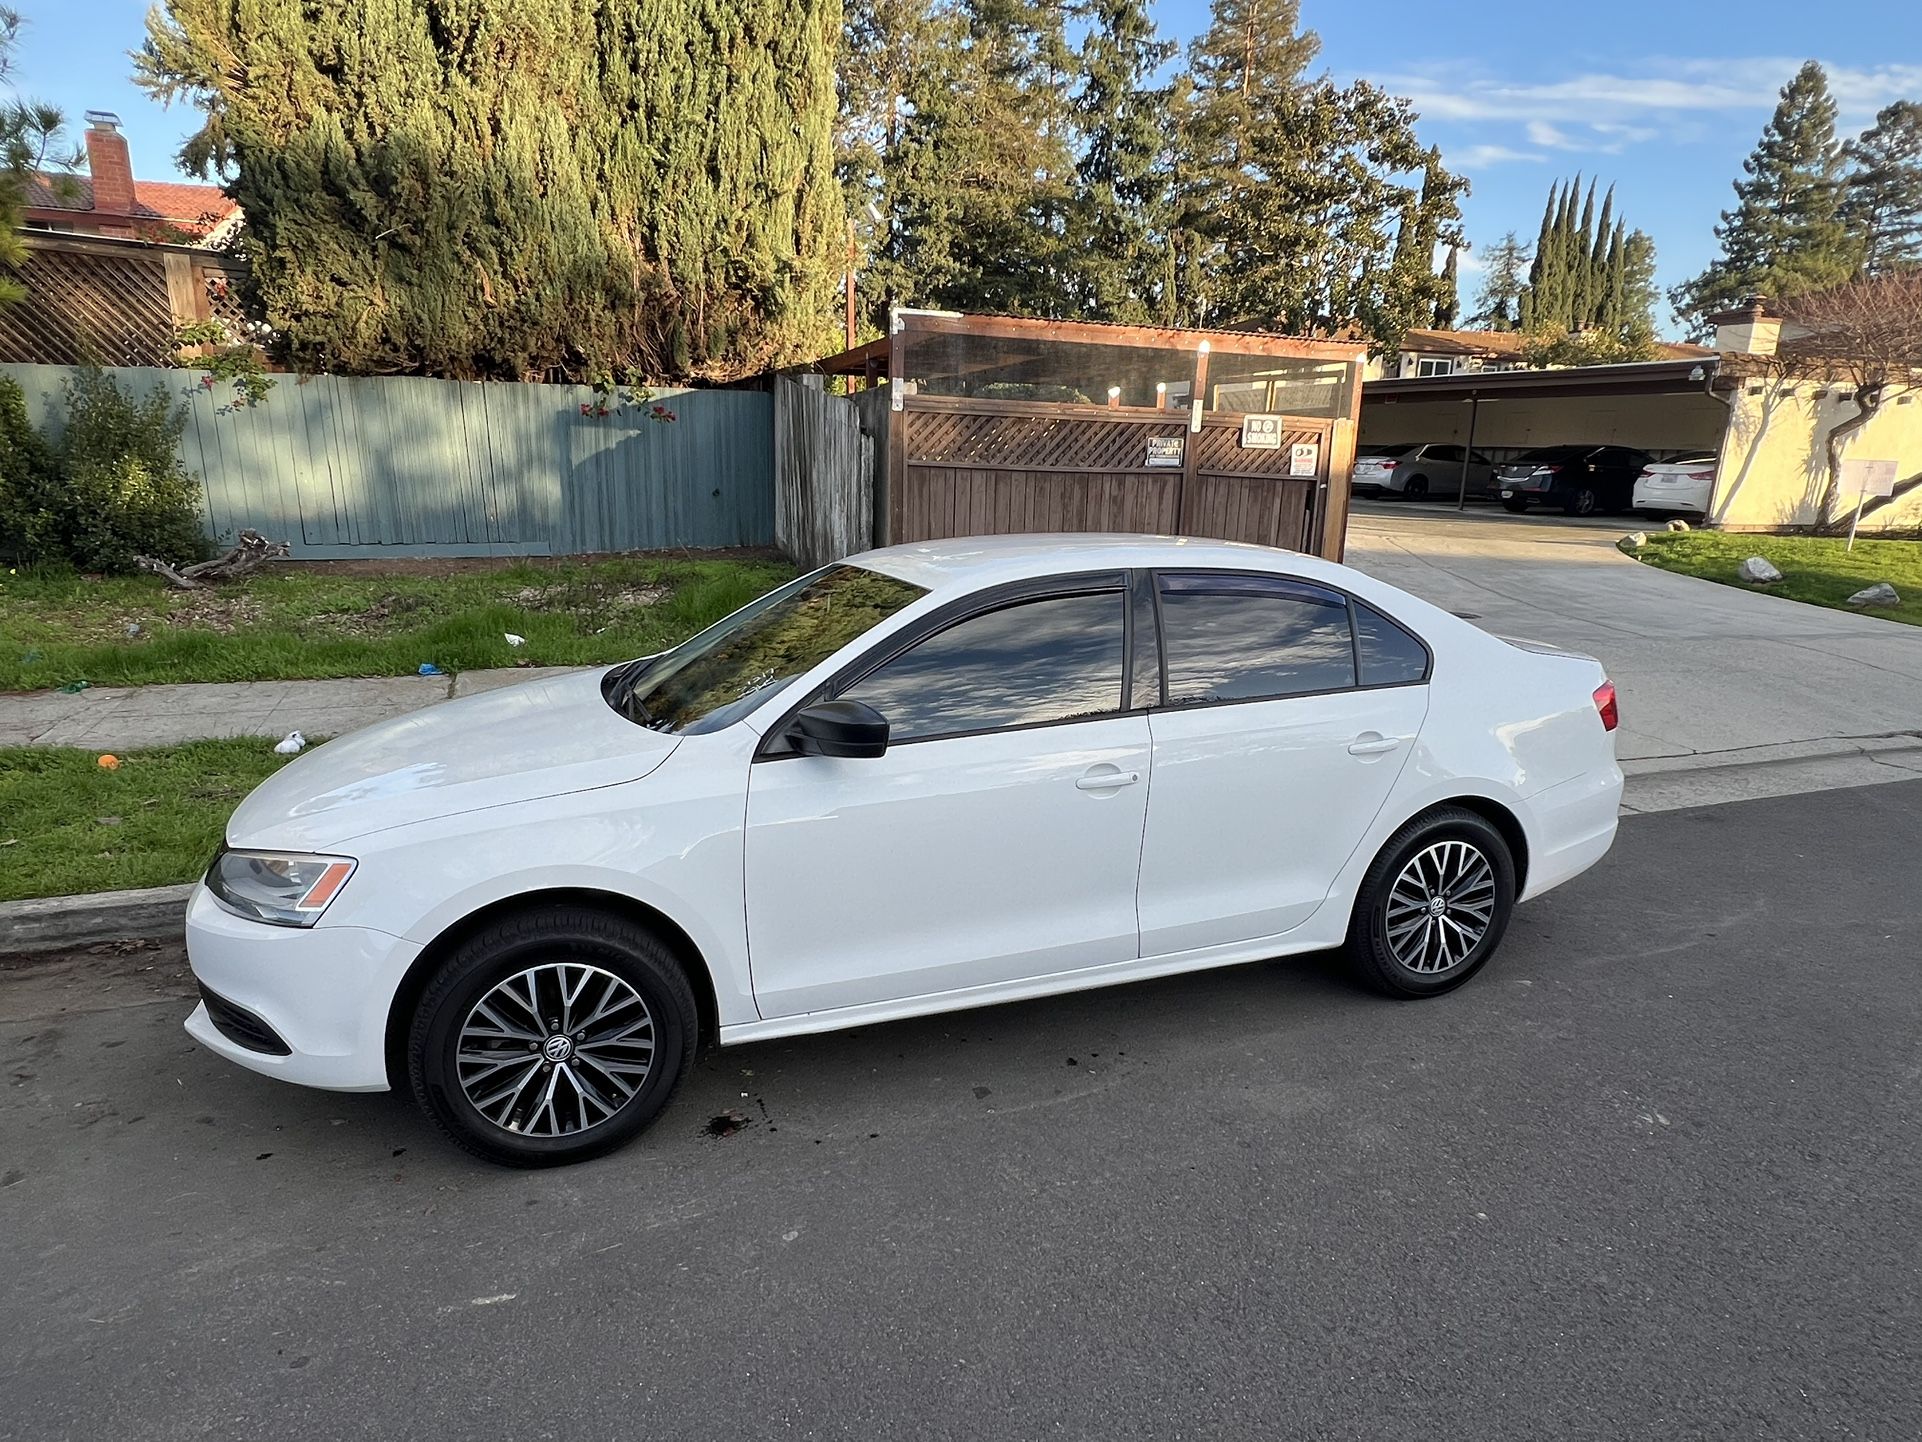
<point>1813,568</point>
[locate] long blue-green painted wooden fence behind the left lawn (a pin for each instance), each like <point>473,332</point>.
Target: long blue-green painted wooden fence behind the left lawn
<point>403,466</point>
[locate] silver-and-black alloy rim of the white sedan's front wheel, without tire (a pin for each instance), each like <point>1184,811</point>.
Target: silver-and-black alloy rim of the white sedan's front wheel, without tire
<point>556,1051</point>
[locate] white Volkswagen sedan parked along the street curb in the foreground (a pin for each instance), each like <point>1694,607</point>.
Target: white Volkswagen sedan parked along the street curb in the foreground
<point>924,780</point>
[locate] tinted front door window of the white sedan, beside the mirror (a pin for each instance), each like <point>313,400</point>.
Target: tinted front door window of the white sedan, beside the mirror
<point>1045,660</point>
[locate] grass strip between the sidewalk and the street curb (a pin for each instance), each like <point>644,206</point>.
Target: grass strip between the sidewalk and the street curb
<point>70,826</point>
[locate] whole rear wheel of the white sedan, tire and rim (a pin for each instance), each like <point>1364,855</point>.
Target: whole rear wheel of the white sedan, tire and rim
<point>1433,907</point>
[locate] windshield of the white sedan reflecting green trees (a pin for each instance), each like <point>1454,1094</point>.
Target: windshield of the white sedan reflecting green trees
<point>733,666</point>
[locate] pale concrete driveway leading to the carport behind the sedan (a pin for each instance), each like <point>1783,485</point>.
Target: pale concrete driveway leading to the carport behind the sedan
<point>1708,674</point>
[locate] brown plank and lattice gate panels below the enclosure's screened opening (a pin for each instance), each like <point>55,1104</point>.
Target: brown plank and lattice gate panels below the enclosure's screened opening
<point>979,468</point>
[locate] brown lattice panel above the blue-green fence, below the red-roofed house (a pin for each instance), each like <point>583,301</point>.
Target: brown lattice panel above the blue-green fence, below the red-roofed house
<point>82,307</point>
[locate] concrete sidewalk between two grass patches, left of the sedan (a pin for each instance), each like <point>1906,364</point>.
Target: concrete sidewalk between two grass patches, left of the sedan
<point>124,718</point>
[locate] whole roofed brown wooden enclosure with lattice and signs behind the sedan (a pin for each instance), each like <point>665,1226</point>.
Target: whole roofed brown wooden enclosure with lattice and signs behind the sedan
<point>993,426</point>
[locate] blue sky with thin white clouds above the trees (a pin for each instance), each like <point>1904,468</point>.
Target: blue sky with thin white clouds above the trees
<point>1660,97</point>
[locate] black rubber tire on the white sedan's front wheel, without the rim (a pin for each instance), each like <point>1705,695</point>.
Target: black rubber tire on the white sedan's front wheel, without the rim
<point>508,949</point>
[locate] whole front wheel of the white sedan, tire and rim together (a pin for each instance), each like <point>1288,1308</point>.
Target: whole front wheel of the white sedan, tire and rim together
<point>553,1037</point>
